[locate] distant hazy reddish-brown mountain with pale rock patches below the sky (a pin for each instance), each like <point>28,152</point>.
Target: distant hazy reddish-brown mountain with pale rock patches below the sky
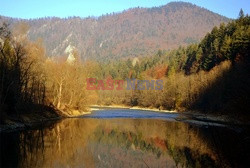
<point>134,32</point>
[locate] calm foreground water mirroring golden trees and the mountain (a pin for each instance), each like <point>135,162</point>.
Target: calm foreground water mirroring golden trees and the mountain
<point>88,142</point>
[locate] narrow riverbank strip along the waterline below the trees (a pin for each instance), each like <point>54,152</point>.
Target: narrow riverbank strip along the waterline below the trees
<point>36,118</point>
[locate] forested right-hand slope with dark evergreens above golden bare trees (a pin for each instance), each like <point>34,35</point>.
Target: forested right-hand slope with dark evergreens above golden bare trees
<point>211,76</point>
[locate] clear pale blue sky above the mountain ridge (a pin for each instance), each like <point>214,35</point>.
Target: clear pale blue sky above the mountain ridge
<point>28,9</point>
